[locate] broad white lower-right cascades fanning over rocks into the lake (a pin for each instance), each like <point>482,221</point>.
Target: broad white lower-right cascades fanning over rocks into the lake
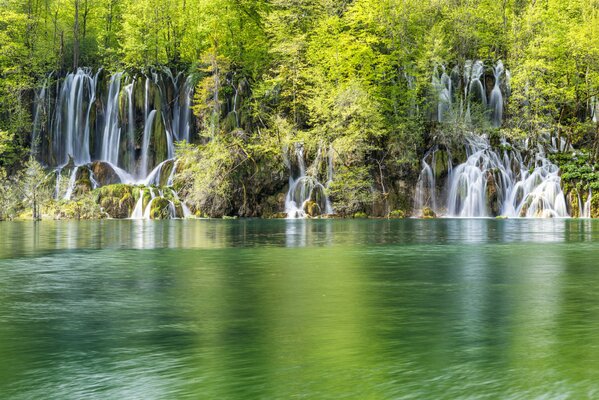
<point>497,182</point>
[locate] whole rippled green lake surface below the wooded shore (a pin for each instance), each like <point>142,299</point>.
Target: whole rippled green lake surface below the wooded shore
<point>436,309</point>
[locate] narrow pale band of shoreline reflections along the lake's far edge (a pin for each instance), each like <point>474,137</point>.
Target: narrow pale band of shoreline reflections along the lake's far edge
<point>26,238</point>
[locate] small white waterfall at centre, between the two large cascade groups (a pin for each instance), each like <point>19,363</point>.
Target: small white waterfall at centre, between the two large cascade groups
<point>304,189</point>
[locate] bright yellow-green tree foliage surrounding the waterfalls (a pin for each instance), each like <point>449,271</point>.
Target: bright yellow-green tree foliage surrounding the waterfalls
<point>354,75</point>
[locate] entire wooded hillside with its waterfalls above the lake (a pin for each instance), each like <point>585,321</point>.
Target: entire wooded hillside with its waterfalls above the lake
<point>310,107</point>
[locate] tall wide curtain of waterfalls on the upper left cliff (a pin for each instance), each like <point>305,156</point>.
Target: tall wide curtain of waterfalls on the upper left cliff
<point>89,118</point>
